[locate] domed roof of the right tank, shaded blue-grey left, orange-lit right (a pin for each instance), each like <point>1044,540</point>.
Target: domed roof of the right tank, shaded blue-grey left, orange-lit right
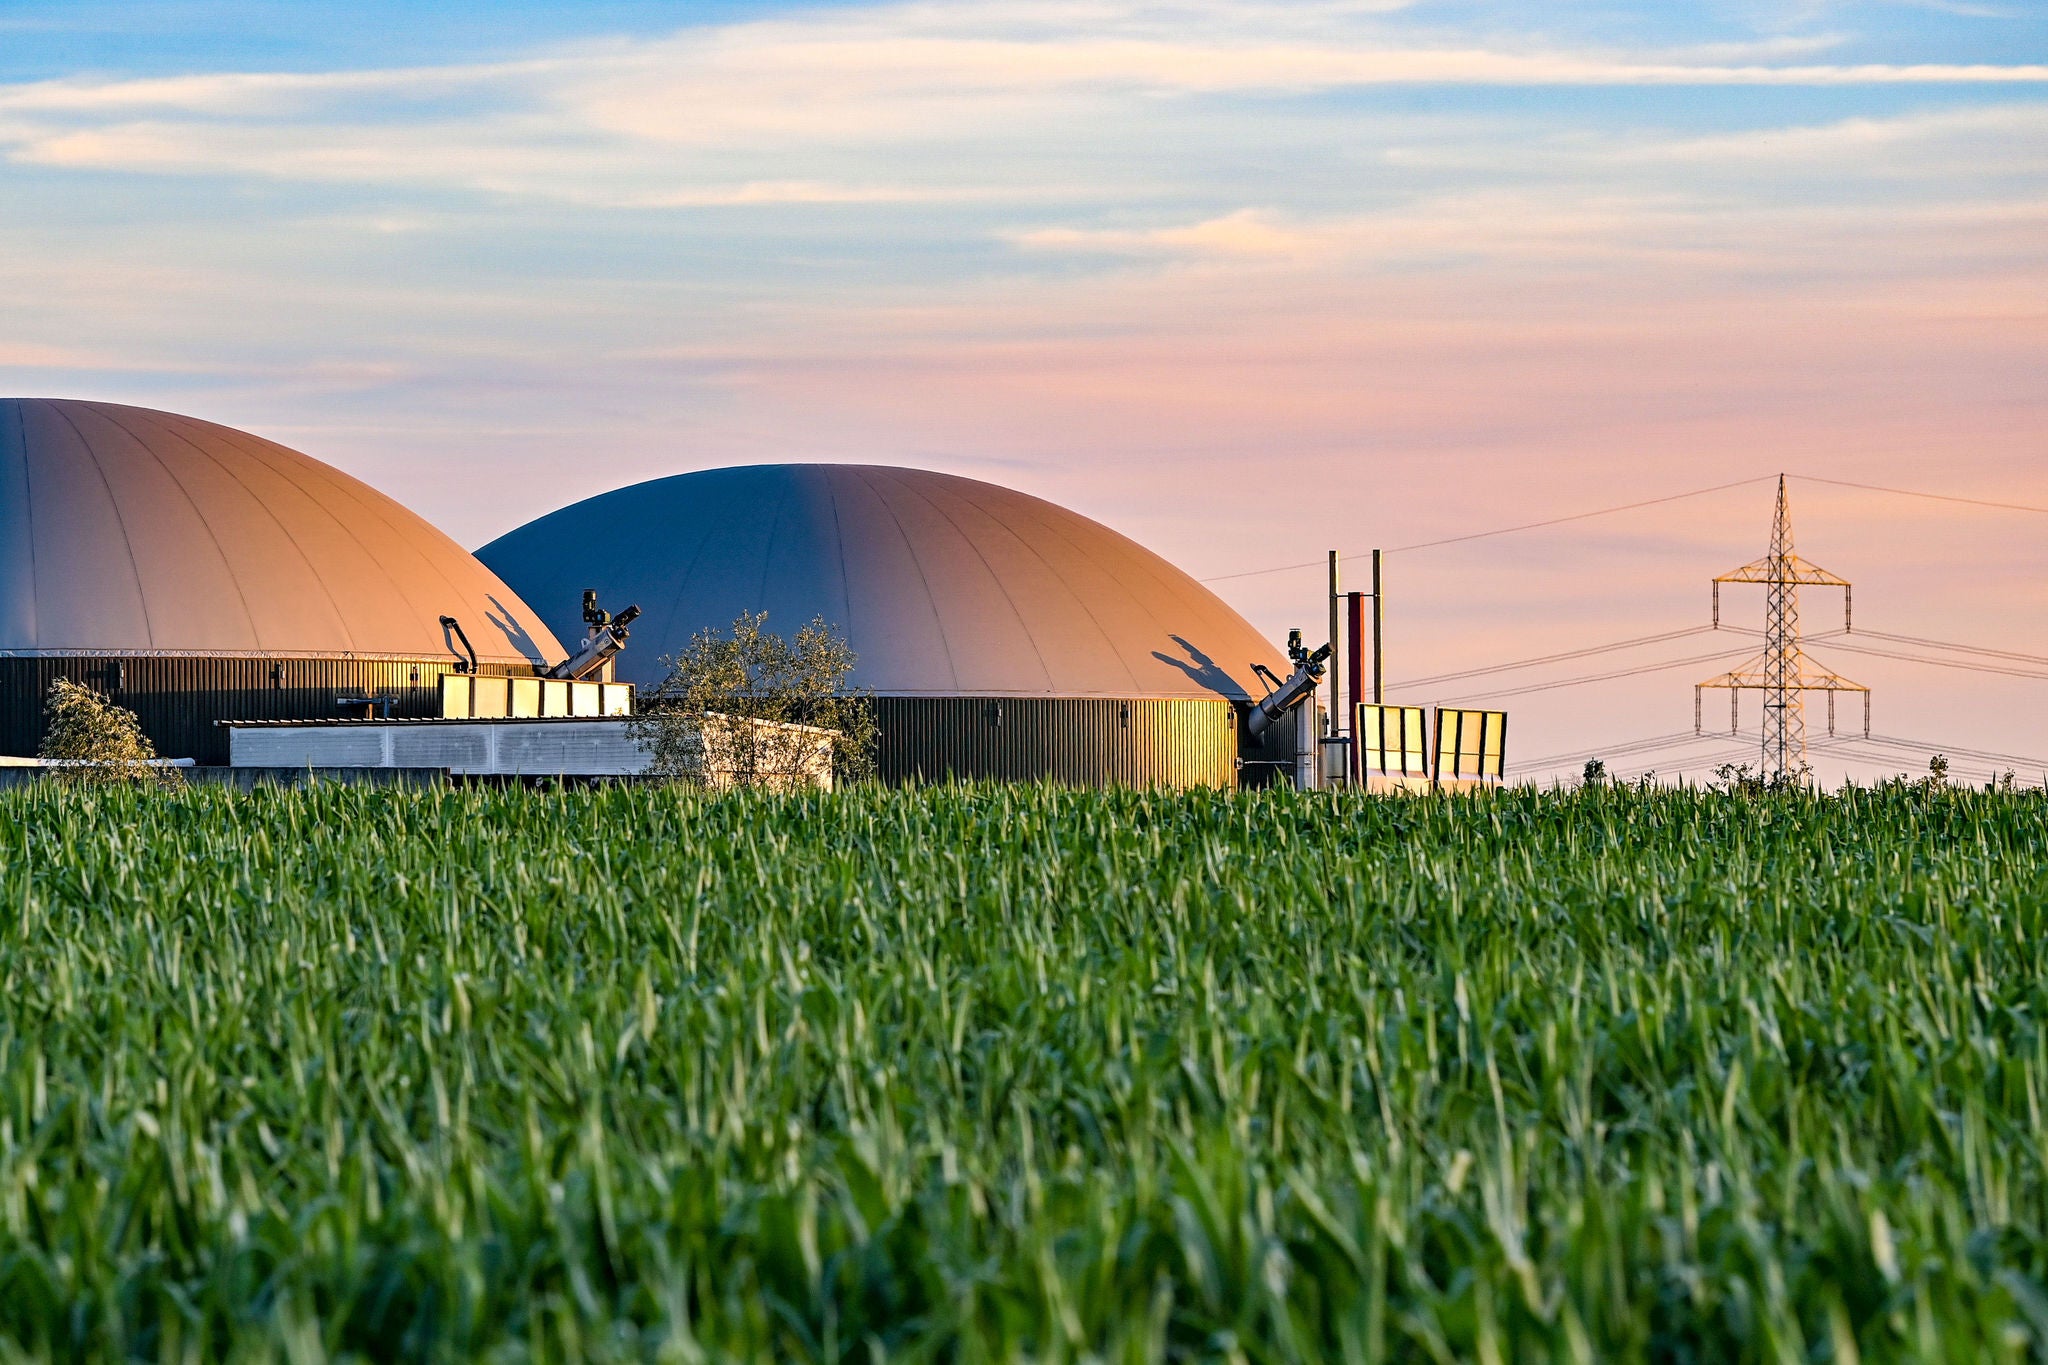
<point>945,586</point>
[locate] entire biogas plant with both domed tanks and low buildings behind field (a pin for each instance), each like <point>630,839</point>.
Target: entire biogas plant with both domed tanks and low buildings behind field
<point>259,609</point>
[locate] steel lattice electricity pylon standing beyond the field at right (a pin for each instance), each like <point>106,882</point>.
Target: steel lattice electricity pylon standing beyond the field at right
<point>1783,670</point>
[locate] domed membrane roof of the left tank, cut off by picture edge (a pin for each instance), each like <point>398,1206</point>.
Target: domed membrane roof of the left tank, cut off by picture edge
<point>136,531</point>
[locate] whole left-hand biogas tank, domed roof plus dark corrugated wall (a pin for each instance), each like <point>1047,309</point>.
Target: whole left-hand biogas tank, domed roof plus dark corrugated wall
<point>202,574</point>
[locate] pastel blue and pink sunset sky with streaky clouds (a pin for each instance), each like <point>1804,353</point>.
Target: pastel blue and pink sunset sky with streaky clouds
<point>1246,281</point>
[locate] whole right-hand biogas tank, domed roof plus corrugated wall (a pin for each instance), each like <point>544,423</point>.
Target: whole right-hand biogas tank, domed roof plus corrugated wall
<point>1002,635</point>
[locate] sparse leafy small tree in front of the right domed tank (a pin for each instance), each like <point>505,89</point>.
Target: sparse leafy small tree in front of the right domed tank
<point>746,707</point>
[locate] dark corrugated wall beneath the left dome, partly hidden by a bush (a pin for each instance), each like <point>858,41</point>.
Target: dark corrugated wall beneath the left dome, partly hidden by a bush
<point>181,699</point>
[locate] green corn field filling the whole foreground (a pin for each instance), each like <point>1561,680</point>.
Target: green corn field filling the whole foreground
<point>1023,1073</point>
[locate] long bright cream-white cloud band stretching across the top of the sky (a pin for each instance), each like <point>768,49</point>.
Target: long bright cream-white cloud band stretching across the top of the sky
<point>646,122</point>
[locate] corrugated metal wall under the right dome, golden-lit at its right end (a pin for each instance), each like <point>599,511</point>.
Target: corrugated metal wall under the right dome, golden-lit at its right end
<point>1084,742</point>
